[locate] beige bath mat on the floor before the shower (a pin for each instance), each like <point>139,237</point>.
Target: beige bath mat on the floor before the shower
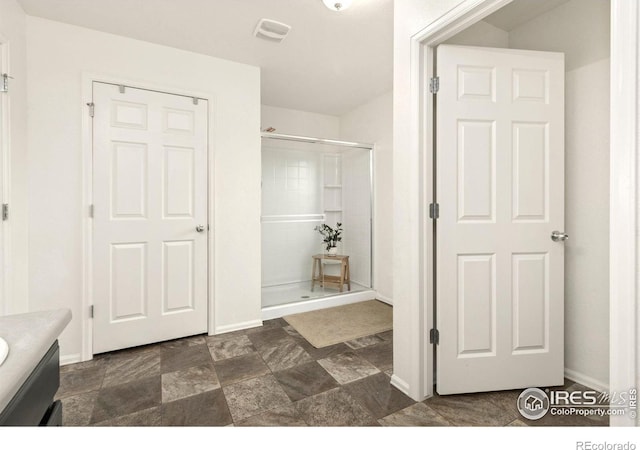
<point>342,323</point>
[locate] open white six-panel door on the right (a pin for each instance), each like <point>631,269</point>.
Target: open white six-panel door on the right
<point>500,189</point>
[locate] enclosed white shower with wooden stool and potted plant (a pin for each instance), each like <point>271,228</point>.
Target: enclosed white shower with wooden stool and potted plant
<point>308,183</point>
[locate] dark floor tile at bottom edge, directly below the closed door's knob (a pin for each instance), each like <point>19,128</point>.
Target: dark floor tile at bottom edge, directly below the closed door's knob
<point>206,409</point>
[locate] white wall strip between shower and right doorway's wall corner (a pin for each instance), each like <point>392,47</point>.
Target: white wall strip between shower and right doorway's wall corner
<point>373,123</point>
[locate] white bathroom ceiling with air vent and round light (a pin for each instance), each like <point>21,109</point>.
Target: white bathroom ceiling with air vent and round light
<point>329,63</point>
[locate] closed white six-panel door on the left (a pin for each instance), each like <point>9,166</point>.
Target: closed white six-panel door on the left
<point>150,195</point>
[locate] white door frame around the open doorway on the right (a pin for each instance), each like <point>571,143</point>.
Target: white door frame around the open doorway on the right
<point>624,147</point>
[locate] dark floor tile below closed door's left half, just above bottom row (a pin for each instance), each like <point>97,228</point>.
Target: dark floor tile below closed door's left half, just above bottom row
<point>122,399</point>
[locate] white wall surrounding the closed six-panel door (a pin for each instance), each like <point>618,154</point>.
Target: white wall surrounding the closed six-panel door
<point>58,56</point>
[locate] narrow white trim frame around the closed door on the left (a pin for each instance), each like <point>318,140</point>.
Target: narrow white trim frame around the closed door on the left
<point>88,78</point>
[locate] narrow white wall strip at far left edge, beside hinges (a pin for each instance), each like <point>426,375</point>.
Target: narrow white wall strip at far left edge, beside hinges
<point>12,34</point>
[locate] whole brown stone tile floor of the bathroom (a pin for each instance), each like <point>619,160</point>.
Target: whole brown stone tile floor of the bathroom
<point>269,376</point>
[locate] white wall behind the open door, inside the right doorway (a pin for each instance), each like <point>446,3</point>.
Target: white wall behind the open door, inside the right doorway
<point>580,29</point>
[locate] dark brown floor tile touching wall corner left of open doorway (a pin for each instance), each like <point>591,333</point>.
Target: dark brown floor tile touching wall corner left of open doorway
<point>378,395</point>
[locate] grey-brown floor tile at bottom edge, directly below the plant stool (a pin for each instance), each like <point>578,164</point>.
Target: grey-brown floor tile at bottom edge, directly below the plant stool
<point>334,408</point>
